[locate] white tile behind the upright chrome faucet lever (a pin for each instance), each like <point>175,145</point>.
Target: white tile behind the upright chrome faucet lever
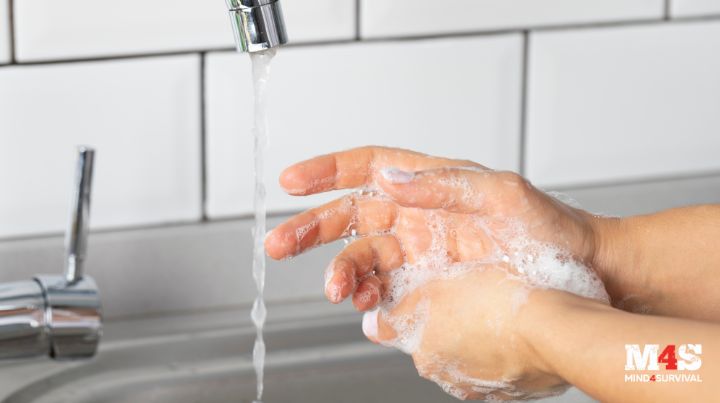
<point>141,115</point>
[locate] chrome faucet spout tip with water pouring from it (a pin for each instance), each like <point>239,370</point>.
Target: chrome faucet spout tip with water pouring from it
<point>257,24</point>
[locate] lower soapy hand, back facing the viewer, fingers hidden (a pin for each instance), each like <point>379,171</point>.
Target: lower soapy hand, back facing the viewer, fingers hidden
<point>469,334</point>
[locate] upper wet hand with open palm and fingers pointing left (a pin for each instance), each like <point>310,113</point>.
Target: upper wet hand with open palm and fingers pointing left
<point>458,190</point>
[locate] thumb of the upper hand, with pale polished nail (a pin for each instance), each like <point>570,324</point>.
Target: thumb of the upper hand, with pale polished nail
<point>458,190</point>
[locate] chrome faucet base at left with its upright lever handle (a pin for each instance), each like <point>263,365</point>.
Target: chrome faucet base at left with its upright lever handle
<point>57,315</point>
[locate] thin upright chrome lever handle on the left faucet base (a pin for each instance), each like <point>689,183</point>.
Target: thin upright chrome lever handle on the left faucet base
<point>77,232</point>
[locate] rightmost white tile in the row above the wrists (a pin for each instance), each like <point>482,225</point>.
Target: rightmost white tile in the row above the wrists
<point>619,103</point>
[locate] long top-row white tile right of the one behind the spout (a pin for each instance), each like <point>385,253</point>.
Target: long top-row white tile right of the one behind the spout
<point>381,18</point>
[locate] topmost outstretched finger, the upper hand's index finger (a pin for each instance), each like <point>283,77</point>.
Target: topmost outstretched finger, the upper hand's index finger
<point>354,168</point>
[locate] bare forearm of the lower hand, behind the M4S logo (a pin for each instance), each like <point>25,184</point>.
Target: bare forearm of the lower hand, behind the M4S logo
<point>584,342</point>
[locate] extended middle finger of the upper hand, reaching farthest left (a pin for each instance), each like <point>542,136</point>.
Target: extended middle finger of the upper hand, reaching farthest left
<point>330,222</point>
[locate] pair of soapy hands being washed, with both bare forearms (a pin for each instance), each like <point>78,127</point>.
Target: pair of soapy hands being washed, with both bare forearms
<point>485,322</point>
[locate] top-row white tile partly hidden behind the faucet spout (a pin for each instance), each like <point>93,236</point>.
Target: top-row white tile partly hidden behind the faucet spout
<point>48,29</point>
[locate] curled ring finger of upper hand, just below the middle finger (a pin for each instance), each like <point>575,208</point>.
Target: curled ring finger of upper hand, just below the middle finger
<point>360,259</point>
